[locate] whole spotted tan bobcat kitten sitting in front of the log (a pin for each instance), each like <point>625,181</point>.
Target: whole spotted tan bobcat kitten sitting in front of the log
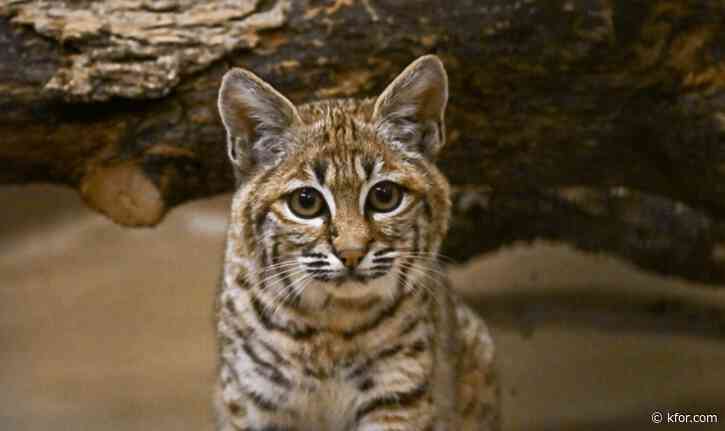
<point>334,313</point>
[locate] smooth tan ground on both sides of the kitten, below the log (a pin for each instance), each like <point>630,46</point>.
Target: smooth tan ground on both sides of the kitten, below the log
<point>108,328</point>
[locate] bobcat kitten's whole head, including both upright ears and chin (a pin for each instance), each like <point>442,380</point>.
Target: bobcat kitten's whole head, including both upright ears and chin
<point>339,198</point>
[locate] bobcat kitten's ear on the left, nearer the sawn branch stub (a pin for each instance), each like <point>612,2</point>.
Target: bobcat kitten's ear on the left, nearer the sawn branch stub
<point>257,118</point>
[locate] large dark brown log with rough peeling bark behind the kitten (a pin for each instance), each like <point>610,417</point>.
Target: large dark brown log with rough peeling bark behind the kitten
<point>600,123</point>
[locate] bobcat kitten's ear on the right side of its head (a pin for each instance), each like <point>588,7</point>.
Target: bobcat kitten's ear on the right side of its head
<point>410,112</point>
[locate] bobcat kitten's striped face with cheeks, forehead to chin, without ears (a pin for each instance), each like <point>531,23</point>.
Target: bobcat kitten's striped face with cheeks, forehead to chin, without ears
<point>348,218</point>
